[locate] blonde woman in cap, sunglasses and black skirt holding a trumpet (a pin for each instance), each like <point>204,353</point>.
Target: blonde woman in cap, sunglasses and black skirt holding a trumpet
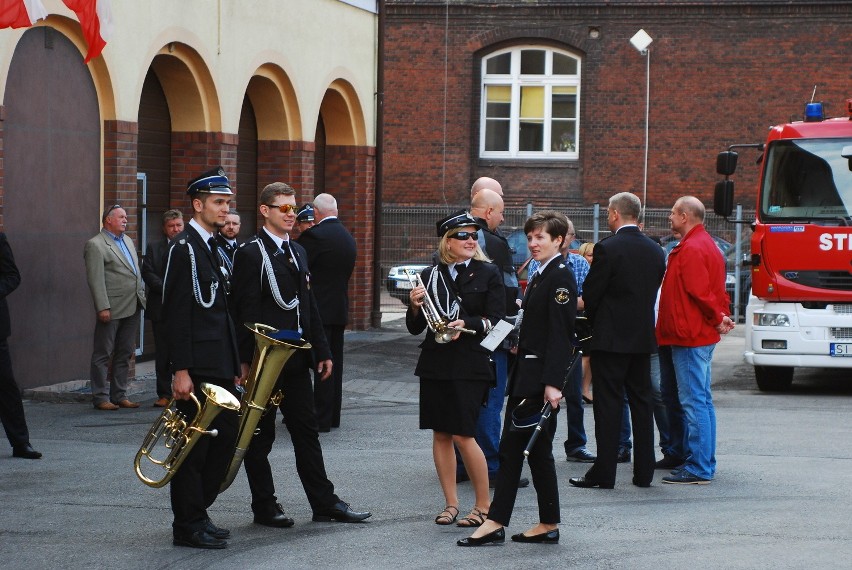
<point>459,300</point>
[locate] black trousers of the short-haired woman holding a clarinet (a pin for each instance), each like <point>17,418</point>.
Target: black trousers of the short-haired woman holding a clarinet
<point>542,469</point>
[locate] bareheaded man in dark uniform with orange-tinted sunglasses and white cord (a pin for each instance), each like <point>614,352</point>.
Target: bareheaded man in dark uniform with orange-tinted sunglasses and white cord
<point>271,285</point>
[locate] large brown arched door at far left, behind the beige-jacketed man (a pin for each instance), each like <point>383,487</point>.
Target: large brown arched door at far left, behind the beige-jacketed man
<point>52,178</point>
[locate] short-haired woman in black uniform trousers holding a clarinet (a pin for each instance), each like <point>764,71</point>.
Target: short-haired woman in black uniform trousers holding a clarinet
<point>544,354</point>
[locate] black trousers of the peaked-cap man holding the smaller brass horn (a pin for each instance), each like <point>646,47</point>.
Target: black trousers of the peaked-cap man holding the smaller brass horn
<point>196,484</point>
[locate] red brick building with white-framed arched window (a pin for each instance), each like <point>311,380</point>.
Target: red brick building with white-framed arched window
<point>564,92</point>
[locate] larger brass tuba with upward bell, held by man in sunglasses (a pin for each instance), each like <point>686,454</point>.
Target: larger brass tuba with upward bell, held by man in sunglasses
<point>270,356</point>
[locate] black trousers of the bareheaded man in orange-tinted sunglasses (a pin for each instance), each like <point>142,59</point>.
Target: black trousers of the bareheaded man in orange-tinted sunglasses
<point>297,406</point>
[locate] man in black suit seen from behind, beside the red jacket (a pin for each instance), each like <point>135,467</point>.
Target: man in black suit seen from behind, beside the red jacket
<point>619,295</point>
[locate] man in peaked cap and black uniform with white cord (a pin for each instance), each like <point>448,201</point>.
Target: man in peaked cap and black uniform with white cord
<point>202,348</point>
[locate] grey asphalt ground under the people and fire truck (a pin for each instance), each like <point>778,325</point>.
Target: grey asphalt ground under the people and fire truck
<point>781,498</point>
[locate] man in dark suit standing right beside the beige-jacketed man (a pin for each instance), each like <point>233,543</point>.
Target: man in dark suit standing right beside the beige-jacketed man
<point>153,270</point>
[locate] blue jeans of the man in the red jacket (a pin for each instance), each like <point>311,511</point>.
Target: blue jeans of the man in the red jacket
<point>692,368</point>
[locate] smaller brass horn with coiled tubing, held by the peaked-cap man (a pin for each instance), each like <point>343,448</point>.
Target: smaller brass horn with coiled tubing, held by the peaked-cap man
<point>179,435</point>
